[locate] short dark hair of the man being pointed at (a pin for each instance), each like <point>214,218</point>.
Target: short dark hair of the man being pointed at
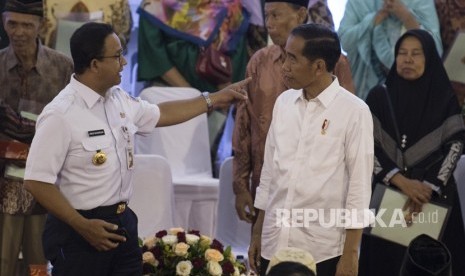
<point>320,42</point>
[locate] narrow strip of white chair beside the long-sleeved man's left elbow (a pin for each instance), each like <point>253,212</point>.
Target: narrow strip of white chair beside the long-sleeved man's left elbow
<point>231,230</point>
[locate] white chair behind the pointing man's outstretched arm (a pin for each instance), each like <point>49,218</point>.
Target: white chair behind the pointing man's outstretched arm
<point>186,146</point>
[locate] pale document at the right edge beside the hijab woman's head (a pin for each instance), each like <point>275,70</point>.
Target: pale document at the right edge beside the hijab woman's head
<point>454,61</point>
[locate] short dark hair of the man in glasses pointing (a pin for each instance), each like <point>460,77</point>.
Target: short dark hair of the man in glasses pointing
<point>87,43</point>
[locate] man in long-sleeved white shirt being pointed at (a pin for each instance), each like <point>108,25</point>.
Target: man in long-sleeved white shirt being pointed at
<point>318,161</point>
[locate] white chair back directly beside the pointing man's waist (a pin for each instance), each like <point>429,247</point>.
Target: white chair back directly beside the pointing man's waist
<point>152,199</point>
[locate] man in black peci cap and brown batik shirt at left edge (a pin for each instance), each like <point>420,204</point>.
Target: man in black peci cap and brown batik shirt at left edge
<point>31,75</point>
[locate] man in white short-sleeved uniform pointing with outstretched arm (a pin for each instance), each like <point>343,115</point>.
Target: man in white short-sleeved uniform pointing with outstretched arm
<point>81,159</point>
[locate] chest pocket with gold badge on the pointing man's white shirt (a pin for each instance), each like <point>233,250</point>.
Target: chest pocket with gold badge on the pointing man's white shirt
<point>82,157</point>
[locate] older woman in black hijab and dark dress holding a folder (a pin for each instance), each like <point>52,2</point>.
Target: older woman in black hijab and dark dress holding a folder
<point>419,138</point>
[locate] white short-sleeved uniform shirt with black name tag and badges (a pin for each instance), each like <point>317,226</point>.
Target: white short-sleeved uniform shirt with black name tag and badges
<point>73,127</point>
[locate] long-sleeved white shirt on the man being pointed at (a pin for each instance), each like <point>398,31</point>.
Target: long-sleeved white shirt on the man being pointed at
<point>306,169</point>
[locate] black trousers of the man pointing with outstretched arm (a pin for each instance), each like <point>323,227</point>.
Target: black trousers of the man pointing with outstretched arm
<point>71,255</point>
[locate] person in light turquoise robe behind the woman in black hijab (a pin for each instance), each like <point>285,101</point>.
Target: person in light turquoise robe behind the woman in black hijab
<point>369,30</point>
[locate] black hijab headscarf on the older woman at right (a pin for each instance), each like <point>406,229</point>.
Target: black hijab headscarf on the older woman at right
<point>420,105</point>
